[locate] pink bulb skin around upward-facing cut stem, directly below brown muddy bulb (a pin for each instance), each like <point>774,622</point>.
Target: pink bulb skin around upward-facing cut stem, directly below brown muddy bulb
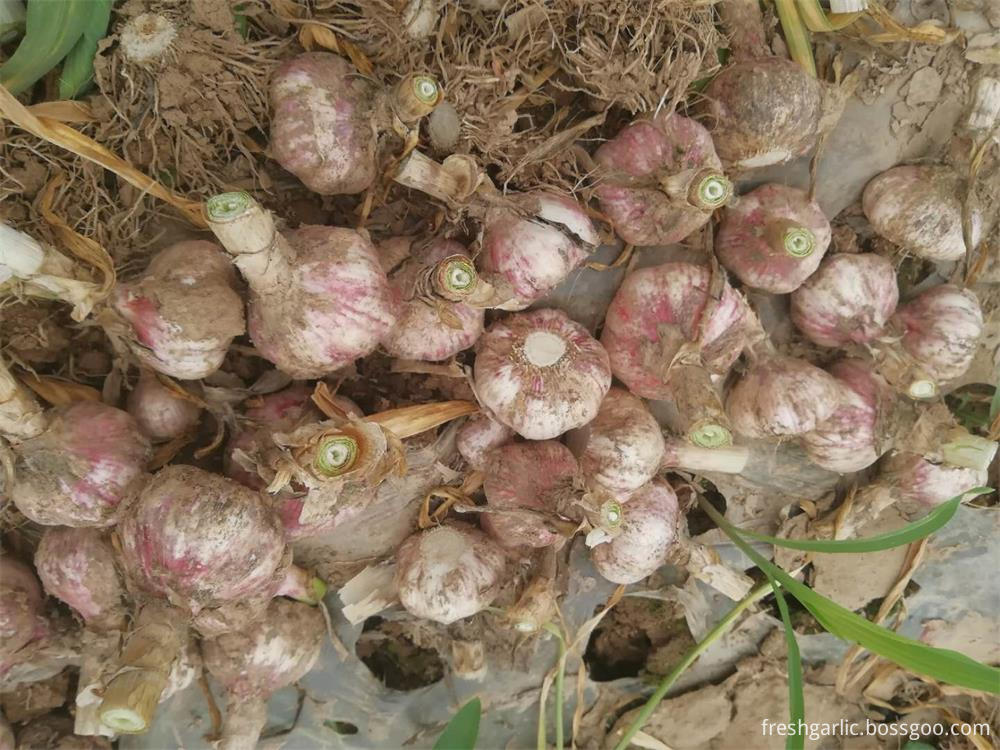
<point>742,245</point>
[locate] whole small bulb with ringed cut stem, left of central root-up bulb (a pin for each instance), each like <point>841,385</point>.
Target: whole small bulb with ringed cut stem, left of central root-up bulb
<point>433,322</point>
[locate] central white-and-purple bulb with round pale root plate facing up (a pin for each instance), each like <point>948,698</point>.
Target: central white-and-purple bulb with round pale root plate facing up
<point>541,373</point>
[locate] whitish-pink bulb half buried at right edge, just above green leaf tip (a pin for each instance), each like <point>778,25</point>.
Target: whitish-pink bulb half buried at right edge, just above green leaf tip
<point>915,479</point>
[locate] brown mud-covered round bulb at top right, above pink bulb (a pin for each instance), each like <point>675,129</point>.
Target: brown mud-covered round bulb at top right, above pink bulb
<point>763,111</point>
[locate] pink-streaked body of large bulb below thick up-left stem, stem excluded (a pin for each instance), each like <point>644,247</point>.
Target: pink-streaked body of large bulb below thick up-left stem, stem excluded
<point>332,307</point>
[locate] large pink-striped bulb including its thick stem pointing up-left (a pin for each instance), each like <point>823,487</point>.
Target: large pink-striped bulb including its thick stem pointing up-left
<point>319,298</point>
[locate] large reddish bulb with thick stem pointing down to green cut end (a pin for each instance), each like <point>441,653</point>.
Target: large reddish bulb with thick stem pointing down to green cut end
<point>667,334</point>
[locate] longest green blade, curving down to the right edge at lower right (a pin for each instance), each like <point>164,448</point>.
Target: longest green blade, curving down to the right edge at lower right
<point>943,665</point>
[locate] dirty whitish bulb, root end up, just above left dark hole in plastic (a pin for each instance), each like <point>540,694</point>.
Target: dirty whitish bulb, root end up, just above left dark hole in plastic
<point>449,572</point>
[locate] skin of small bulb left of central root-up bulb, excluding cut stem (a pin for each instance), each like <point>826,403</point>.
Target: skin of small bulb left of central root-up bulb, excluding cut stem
<point>420,331</point>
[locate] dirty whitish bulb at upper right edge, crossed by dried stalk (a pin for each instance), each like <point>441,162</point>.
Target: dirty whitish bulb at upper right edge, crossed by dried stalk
<point>919,208</point>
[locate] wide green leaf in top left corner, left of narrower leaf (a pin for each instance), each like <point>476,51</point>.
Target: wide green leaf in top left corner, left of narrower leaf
<point>52,27</point>
